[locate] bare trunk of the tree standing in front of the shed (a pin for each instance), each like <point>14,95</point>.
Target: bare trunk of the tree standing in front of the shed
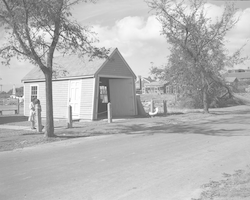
<point>49,105</point>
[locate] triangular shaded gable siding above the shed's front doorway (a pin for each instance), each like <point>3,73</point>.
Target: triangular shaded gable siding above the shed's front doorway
<point>115,67</point>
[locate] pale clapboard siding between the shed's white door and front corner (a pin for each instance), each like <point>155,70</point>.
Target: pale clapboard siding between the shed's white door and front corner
<point>86,111</point>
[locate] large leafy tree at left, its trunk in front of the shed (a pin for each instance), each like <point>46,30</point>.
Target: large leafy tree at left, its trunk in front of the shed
<point>36,30</point>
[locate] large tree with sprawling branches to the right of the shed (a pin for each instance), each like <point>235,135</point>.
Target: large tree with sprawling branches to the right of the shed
<point>197,52</point>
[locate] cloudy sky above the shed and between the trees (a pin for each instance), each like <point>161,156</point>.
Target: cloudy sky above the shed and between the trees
<point>130,26</point>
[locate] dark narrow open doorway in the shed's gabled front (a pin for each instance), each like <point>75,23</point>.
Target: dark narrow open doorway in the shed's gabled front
<point>103,98</point>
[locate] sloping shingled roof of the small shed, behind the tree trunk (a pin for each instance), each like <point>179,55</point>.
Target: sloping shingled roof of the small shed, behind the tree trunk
<point>70,66</point>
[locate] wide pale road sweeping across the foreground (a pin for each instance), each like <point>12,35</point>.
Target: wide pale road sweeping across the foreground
<point>159,163</point>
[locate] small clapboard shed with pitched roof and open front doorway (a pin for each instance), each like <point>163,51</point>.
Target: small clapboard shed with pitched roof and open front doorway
<point>87,86</point>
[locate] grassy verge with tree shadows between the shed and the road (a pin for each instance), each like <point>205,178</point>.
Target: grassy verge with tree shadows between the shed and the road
<point>231,121</point>
